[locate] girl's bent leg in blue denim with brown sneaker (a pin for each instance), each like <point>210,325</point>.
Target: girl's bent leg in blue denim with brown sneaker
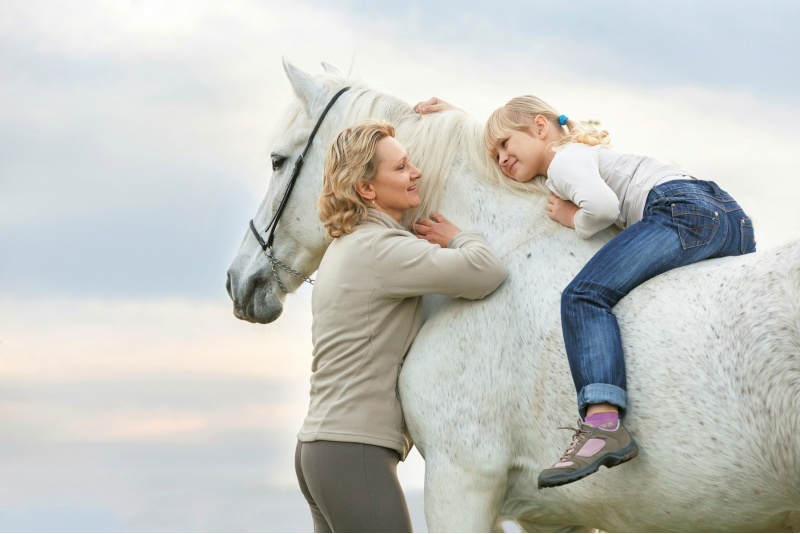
<point>594,347</point>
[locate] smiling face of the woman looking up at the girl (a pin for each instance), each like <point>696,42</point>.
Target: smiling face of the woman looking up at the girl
<point>394,188</point>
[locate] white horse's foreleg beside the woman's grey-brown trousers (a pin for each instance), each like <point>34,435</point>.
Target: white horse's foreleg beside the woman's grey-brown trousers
<point>462,499</point>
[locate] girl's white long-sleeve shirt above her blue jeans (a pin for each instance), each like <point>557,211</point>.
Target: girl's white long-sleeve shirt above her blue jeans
<point>607,185</point>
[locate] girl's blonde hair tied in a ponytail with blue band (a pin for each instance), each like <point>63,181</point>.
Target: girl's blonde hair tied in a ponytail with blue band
<point>518,114</point>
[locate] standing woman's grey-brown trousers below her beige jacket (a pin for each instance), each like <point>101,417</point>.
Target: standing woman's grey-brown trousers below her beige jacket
<point>351,487</point>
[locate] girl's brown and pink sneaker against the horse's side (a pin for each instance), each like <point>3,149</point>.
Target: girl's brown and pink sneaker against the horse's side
<point>591,447</point>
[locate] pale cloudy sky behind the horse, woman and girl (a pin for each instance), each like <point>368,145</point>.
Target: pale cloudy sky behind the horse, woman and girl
<point>134,143</point>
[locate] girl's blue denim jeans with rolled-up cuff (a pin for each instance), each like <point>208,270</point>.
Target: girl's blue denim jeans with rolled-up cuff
<point>685,221</point>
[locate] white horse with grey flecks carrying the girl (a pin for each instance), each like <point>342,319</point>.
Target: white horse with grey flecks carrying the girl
<point>712,350</point>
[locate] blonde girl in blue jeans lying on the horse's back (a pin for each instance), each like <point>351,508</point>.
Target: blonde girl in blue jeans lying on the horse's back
<point>670,219</point>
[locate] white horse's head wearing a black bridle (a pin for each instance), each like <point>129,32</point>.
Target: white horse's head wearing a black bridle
<point>259,276</point>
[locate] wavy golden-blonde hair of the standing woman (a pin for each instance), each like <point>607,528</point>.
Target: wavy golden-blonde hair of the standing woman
<point>350,160</point>
